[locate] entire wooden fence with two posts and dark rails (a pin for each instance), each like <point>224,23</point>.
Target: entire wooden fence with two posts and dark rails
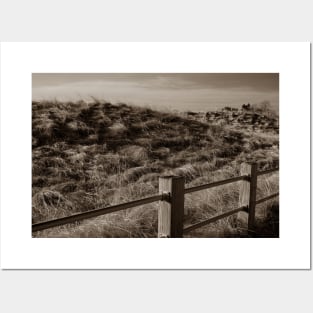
<point>171,203</point>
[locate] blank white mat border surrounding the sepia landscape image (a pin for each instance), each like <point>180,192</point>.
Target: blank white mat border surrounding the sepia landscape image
<point>290,251</point>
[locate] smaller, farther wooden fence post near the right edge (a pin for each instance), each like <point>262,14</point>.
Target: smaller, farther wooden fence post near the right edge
<point>247,193</point>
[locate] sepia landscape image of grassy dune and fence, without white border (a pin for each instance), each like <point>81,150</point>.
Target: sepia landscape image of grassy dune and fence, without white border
<point>145,155</point>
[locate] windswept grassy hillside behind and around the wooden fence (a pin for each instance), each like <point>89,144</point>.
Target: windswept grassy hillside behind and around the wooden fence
<point>88,156</point>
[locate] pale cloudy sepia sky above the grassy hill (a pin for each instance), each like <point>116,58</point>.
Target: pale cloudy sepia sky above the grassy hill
<point>179,91</point>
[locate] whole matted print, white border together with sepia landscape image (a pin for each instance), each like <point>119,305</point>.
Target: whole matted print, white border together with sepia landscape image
<point>171,156</point>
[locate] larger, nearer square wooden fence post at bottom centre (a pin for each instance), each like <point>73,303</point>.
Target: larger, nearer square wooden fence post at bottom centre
<point>171,213</point>
